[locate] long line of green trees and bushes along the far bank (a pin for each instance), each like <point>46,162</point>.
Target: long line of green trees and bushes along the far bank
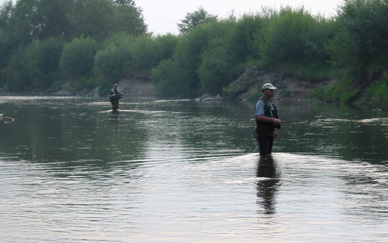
<point>46,44</point>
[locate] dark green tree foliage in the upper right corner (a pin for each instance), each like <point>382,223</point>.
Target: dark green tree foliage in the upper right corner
<point>362,35</point>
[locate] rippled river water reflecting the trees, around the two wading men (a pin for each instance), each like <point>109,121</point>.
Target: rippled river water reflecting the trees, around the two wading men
<point>188,171</point>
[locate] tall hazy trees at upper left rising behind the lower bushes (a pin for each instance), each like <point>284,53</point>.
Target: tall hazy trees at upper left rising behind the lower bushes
<point>28,20</point>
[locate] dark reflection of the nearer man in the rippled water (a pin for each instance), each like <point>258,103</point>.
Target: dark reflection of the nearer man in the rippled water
<point>268,183</point>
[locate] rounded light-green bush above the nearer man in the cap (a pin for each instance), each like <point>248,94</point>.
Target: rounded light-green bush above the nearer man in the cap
<point>294,36</point>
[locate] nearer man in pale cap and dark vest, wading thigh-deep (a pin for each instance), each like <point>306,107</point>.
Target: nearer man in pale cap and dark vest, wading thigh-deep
<point>267,120</point>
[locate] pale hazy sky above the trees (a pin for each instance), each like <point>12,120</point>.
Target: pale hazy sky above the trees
<point>162,16</point>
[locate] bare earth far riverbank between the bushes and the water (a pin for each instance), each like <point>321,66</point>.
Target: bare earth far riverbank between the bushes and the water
<point>246,87</point>
